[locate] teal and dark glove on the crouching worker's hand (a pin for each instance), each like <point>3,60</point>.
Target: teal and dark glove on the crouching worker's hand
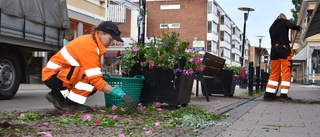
<point>118,92</point>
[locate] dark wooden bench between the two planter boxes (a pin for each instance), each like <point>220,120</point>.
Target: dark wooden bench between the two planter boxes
<point>213,67</point>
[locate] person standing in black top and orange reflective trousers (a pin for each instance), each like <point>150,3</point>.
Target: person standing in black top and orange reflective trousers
<point>280,58</point>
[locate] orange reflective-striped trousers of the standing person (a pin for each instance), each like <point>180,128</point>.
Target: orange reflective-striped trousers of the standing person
<point>280,67</point>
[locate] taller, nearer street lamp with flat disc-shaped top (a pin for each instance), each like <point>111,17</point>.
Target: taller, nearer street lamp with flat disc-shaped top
<point>246,14</point>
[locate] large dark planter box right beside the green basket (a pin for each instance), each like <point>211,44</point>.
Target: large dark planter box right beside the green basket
<point>164,86</point>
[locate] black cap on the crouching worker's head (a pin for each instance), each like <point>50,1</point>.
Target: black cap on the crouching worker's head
<point>111,28</point>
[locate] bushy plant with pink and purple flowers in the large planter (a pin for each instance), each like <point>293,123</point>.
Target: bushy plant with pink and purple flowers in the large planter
<point>162,52</point>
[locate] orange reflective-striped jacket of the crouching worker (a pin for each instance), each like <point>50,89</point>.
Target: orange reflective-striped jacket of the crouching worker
<point>83,52</point>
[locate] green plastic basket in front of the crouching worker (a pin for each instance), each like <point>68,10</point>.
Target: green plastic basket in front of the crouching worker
<point>130,85</point>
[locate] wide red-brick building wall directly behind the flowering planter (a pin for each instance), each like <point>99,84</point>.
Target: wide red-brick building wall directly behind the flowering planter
<point>192,17</point>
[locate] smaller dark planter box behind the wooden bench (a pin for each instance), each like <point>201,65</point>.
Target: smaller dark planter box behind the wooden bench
<point>228,80</point>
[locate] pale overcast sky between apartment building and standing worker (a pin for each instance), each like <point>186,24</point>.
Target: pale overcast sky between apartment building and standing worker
<point>259,20</point>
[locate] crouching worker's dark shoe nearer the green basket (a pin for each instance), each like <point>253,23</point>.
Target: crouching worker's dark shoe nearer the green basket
<point>69,105</point>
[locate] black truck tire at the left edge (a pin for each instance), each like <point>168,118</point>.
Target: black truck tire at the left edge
<point>10,75</point>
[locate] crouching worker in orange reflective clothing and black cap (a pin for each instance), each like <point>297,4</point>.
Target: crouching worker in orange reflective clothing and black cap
<point>74,72</point>
